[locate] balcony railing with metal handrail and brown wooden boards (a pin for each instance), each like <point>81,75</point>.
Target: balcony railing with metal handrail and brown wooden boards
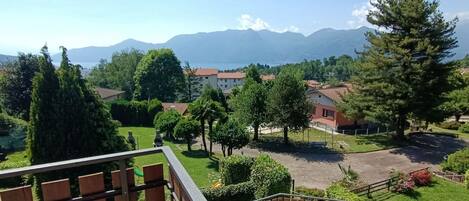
<point>179,184</point>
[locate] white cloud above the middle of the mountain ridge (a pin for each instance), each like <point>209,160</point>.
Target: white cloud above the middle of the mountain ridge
<point>248,22</point>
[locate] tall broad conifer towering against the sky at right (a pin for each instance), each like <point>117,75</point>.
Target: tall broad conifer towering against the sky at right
<point>404,71</point>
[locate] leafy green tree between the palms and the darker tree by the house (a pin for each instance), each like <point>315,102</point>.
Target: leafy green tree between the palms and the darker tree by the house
<point>250,105</point>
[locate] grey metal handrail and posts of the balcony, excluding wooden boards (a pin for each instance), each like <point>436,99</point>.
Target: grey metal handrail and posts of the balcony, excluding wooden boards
<point>180,184</point>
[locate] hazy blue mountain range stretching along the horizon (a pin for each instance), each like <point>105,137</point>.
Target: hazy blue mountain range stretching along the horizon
<point>249,46</point>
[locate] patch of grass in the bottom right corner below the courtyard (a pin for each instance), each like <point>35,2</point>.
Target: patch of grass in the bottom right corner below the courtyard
<point>439,190</point>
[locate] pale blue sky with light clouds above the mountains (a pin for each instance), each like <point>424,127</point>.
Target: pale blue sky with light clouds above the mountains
<point>26,25</point>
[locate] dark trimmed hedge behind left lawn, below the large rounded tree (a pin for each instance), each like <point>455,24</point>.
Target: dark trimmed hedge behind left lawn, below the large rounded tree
<point>135,113</point>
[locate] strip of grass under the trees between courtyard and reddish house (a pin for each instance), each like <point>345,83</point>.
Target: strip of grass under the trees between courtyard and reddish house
<point>352,143</point>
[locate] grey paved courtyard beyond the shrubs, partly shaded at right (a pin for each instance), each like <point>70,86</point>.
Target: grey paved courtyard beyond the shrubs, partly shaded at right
<point>316,170</point>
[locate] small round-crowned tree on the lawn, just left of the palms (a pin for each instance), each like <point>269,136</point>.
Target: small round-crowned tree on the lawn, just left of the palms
<point>188,129</point>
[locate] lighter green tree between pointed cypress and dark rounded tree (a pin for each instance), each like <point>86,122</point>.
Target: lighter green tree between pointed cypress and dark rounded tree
<point>119,73</point>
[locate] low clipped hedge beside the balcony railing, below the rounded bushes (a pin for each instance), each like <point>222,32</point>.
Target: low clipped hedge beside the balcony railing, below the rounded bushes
<point>240,192</point>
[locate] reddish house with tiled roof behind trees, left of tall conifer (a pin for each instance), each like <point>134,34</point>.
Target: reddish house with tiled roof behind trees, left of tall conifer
<point>326,113</point>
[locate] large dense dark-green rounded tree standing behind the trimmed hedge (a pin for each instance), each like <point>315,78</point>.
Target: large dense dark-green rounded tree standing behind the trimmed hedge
<point>158,75</point>
